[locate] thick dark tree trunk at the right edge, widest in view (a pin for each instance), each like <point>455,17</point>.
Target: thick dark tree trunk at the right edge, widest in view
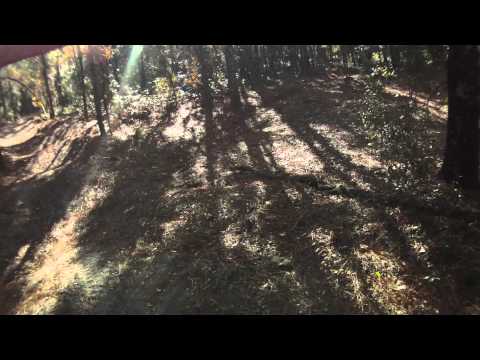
<point>461,158</point>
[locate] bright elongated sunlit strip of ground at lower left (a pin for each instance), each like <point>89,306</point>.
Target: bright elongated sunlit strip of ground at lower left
<point>55,265</point>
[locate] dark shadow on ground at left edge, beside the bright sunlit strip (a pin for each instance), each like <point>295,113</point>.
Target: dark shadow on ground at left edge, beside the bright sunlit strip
<point>33,208</point>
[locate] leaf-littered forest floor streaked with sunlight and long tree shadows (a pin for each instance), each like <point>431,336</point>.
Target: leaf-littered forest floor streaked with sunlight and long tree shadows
<point>283,207</point>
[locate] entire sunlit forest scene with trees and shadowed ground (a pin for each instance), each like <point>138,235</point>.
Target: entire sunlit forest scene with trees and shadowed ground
<point>239,179</point>
